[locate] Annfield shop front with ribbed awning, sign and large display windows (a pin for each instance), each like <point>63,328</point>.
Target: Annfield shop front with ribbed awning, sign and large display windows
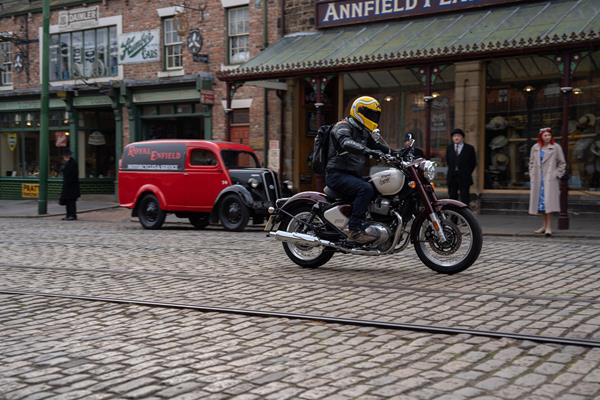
<point>499,71</point>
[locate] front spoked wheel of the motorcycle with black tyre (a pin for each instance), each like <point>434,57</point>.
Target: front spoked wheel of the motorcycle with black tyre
<point>461,248</point>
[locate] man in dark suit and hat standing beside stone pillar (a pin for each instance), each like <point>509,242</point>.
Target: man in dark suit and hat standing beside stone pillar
<point>461,160</point>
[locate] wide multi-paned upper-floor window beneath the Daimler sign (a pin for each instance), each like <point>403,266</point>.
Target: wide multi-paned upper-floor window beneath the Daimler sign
<point>84,54</point>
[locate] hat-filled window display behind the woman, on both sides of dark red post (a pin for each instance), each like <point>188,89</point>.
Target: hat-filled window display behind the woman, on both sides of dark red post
<point>523,95</point>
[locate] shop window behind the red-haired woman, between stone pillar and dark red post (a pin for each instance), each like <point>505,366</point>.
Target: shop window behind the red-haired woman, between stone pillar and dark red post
<point>522,96</point>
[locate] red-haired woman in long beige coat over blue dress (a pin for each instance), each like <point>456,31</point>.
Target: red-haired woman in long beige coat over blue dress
<point>546,166</point>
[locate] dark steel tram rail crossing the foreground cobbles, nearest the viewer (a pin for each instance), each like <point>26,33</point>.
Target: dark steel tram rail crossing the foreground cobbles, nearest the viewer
<point>432,329</point>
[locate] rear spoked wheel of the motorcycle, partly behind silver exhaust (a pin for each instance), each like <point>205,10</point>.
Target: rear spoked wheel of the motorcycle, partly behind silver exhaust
<point>305,256</point>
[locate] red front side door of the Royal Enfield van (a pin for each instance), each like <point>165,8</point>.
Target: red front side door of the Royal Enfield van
<point>205,178</point>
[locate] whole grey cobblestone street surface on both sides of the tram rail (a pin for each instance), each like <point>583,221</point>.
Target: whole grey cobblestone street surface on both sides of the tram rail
<point>66,348</point>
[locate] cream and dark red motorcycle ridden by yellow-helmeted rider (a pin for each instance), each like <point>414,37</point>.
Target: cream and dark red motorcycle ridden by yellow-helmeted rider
<point>446,235</point>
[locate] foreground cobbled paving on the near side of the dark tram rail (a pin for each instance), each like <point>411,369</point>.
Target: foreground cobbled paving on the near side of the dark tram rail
<point>61,349</point>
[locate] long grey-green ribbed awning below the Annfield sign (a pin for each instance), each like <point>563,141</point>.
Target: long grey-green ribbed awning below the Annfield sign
<point>527,26</point>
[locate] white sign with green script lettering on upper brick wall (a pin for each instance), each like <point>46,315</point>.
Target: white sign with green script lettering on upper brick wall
<point>139,47</point>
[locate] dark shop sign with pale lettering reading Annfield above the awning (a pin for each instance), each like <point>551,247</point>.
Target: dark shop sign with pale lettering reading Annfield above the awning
<point>346,12</point>
